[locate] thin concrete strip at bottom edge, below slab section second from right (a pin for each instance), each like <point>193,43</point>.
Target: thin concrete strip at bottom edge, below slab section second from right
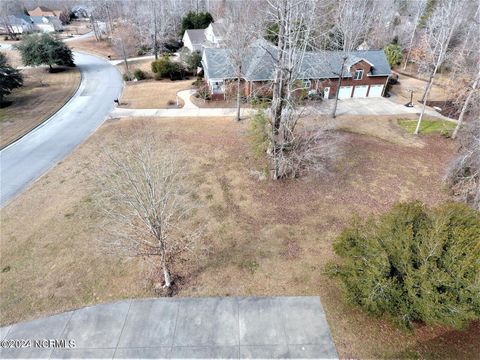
<point>205,352</point>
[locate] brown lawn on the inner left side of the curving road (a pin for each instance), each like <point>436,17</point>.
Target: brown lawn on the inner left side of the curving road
<point>43,94</point>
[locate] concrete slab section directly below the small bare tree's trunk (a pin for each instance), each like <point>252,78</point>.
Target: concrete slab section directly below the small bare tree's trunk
<point>150,323</point>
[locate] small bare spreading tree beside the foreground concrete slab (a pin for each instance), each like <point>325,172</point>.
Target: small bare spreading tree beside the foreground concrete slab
<point>145,202</point>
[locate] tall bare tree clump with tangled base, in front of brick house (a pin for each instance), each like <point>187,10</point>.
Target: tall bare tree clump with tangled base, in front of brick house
<point>295,28</point>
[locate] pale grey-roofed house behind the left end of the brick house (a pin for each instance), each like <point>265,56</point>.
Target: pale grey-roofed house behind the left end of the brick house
<point>199,39</point>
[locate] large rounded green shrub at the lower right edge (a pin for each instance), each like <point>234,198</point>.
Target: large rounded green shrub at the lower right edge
<point>414,264</point>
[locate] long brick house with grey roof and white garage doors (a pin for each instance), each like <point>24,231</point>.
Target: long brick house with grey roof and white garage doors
<point>365,74</point>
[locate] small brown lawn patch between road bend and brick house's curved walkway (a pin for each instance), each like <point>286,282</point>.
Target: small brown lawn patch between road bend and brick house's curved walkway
<point>153,94</point>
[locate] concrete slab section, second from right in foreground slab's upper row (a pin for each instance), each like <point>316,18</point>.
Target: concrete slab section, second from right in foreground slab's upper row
<point>207,321</point>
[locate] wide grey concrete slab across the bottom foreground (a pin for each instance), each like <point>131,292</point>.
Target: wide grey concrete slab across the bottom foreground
<point>269,327</point>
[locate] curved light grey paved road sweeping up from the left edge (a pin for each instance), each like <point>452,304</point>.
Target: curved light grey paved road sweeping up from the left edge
<point>30,157</point>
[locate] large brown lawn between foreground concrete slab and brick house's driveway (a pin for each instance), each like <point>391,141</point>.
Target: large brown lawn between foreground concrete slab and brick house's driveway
<point>265,238</point>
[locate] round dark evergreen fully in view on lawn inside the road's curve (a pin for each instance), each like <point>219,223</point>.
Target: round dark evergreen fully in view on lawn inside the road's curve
<point>44,50</point>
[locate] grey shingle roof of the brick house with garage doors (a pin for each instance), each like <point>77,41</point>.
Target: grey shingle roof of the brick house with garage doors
<point>259,63</point>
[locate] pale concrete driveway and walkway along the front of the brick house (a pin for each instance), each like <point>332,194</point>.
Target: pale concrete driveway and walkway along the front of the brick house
<point>367,106</point>
